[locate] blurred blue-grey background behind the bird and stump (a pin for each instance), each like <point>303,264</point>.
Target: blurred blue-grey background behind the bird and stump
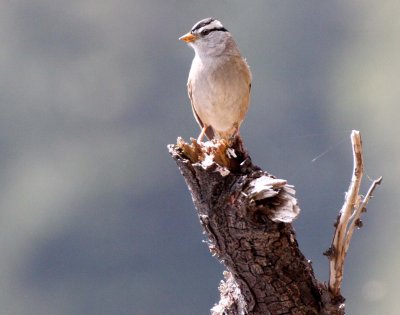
<point>94,215</point>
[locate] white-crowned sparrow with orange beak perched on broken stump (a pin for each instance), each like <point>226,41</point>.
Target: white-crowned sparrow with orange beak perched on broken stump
<point>219,80</point>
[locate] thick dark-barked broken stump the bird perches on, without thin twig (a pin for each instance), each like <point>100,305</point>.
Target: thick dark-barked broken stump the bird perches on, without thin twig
<point>246,214</point>
